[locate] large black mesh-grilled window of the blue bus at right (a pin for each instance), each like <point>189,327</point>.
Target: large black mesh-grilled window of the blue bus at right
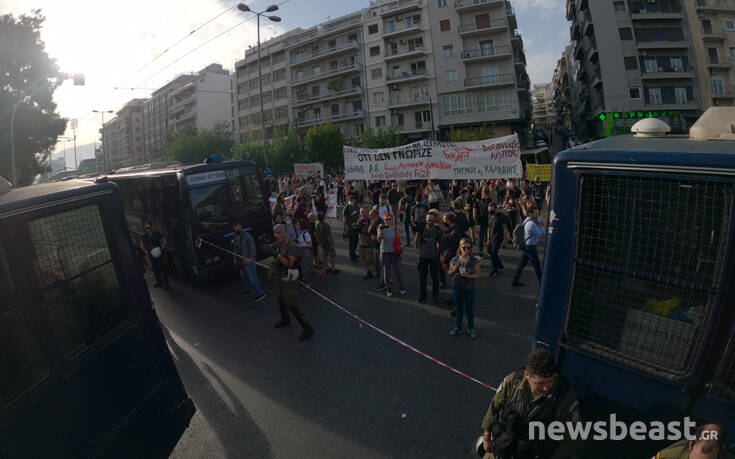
<point>649,258</point>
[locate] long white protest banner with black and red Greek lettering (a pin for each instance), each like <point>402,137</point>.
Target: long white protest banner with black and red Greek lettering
<point>482,159</point>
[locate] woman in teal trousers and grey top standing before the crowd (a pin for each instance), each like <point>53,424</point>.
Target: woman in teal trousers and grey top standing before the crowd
<point>467,269</point>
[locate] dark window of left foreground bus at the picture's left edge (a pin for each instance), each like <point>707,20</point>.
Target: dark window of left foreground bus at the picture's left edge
<point>21,360</point>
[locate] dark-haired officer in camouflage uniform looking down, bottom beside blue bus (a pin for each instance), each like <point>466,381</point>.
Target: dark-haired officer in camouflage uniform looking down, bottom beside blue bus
<point>535,393</point>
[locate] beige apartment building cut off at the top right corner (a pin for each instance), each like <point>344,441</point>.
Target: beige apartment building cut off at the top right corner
<point>713,37</point>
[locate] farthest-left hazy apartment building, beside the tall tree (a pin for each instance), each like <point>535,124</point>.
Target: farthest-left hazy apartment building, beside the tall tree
<point>122,136</point>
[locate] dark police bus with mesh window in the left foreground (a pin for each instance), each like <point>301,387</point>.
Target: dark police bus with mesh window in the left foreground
<point>86,371</point>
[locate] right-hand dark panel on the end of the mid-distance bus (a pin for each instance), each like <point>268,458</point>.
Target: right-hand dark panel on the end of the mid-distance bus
<point>250,206</point>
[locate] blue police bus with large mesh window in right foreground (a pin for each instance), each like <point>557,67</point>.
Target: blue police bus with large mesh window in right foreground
<point>638,291</point>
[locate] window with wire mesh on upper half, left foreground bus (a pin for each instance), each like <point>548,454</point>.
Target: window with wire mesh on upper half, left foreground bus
<point>76,276</point>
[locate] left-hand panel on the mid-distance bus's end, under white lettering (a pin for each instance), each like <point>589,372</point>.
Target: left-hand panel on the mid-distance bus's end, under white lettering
<point>211,217</point>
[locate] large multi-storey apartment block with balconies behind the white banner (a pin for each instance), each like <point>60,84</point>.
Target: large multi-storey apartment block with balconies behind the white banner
<point>422,66</point>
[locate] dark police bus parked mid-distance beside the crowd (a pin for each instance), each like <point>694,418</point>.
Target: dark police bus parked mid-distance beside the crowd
<point>189,202</point>
